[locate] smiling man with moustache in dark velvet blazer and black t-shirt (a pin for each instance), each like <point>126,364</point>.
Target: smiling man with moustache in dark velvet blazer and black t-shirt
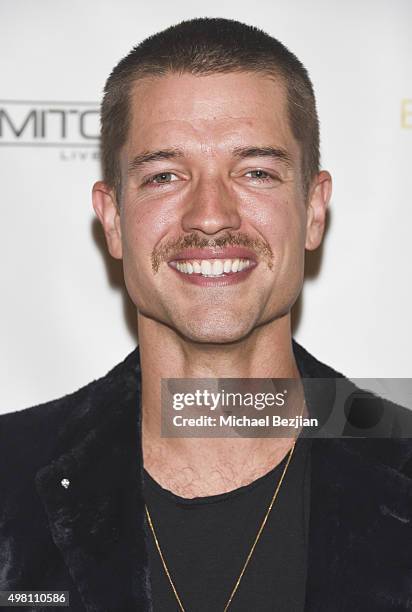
<point>212,192</point>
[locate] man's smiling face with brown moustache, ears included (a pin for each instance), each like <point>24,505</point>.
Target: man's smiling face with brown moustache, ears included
<point>213,221</point>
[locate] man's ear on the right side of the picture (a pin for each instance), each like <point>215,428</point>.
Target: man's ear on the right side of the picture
<point>318,200</point>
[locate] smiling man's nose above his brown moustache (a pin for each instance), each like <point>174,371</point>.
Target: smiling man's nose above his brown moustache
<point>211,208</point>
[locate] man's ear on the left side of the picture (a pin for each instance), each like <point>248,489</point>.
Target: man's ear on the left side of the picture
<point>105,207</point>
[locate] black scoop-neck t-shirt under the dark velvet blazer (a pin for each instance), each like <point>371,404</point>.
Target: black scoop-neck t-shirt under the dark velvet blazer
<point>205,542</point>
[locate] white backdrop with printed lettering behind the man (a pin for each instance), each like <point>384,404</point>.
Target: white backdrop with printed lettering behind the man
<point>64,318</point>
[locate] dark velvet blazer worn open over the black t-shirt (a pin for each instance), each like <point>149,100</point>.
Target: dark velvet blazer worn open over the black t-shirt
<point>89,538</point>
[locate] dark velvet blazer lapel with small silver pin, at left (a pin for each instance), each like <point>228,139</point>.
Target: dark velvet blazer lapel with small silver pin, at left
<point>97,518</point>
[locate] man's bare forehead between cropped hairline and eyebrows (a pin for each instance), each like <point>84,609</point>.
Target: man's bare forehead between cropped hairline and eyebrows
<point>208,113</point>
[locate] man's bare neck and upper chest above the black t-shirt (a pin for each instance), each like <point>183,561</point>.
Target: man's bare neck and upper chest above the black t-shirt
<point>194,467</point>
